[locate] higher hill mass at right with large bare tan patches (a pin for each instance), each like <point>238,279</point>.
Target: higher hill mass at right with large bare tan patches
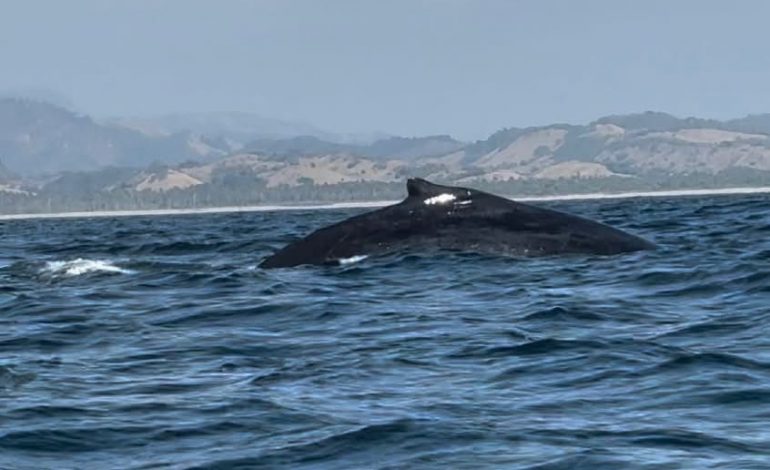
<point>636,145</point>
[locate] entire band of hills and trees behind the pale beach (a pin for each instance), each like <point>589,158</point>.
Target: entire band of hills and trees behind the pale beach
<point>55,159</point>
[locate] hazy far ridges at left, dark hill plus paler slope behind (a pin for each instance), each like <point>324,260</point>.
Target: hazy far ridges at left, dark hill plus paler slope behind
<point>37,137</point>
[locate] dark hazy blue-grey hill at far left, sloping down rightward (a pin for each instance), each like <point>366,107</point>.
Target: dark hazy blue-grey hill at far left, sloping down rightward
<point>38,138</point>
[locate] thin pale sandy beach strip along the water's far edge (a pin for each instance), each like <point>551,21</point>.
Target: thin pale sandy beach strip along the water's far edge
<point>371,204</point>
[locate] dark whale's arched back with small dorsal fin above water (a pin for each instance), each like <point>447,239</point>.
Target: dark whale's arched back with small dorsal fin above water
<point>438,217</point>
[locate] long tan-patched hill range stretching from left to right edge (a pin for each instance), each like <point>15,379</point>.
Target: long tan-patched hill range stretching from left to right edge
<point>653,148</point>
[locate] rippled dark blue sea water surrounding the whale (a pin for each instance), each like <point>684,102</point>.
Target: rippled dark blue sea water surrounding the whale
<point>156,342</point>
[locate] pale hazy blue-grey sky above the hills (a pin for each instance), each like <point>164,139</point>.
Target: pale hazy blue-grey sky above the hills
<point>409,67</point>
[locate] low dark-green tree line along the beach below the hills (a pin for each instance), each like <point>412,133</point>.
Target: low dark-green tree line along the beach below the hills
<point>247,191</point>
